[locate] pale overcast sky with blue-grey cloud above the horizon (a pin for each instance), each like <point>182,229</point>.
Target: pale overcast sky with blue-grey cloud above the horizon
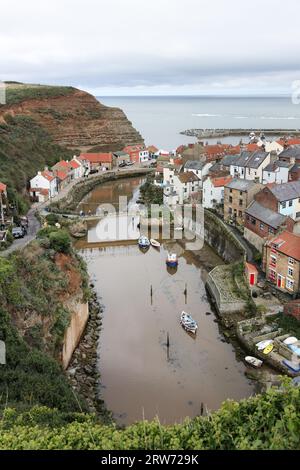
<point>118,47</point>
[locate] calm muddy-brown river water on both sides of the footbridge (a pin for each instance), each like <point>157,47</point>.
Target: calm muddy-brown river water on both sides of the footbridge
<point>140,377</point>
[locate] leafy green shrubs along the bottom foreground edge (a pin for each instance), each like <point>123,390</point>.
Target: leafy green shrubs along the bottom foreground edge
<point>269,421</point>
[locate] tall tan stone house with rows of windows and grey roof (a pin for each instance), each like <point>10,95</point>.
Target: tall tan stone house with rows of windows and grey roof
<point>237,196</point>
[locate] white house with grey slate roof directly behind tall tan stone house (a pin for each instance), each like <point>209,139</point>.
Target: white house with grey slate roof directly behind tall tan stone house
<point>250,165</point>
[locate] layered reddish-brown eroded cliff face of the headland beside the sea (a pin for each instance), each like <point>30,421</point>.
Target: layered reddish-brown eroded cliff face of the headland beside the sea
<point>76,119</point>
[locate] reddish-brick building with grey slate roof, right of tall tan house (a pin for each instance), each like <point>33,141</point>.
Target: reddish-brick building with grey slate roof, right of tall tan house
<point>262,224</point>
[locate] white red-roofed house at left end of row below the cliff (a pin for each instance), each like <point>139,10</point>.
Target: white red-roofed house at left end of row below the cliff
<point>43,186</point>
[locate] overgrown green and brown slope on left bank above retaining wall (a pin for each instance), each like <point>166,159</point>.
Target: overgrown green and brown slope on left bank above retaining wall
<point>35,286</point>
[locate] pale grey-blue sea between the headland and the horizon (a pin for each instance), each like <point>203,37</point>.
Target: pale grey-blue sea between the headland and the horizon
<point>160,119</point>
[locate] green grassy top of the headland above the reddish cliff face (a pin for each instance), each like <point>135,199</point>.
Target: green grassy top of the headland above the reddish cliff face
<point>19,92</point>
